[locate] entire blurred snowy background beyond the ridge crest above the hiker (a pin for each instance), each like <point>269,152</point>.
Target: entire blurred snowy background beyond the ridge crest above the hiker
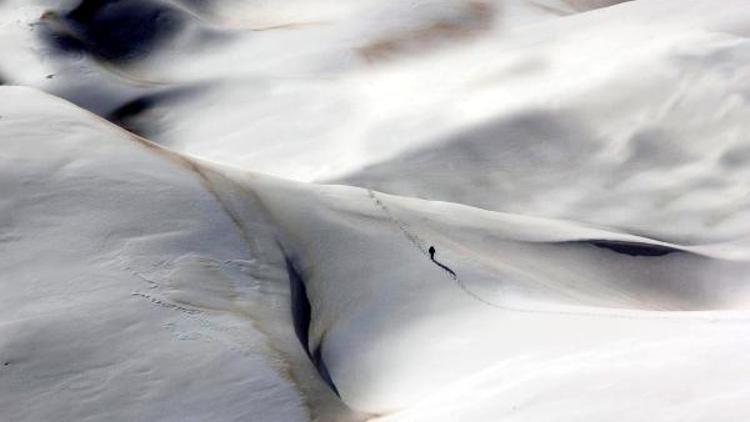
<point>629,116</point>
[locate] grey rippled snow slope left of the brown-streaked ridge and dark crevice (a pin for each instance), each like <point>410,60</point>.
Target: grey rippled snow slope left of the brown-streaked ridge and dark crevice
<point>96,231</point>
